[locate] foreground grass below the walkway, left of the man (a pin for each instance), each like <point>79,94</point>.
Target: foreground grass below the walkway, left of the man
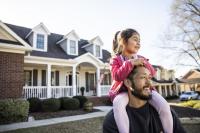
<point>93,125</point>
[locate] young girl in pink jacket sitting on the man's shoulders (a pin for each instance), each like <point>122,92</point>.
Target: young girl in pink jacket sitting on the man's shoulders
<point>125,47</point>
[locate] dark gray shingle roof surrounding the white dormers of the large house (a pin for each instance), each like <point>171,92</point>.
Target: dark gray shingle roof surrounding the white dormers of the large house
<point>54,50</point>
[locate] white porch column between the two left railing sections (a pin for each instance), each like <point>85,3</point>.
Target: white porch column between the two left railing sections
<point>48,80</point>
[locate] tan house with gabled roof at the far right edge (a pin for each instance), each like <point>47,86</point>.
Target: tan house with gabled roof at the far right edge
<point>191,81</point>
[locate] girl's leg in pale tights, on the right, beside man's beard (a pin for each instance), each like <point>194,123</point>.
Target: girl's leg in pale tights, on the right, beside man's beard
<point>163,109</point>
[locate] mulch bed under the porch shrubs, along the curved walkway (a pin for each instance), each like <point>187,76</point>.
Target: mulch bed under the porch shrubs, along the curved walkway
<point>62,113</point>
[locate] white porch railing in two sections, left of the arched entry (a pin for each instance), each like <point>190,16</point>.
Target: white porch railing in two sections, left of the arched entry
<point>41,91</point>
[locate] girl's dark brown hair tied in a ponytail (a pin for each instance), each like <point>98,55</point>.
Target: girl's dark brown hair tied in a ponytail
<point>121,38</point>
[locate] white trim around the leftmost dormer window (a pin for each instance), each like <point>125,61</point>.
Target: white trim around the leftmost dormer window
<point>35,42</point>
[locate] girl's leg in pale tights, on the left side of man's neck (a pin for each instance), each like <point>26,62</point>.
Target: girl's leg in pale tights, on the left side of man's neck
<point>119,108</point>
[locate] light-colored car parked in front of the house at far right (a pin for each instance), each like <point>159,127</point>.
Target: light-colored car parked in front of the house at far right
<point>189,95</point>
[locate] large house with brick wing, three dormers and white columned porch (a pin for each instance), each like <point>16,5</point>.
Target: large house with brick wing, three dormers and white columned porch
<point>37,63</point>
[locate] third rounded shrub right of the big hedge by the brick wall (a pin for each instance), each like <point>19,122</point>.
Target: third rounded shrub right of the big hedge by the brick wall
<point>71,104</point>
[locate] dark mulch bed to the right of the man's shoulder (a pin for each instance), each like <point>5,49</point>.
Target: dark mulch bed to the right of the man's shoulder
<point>186,111</point>
